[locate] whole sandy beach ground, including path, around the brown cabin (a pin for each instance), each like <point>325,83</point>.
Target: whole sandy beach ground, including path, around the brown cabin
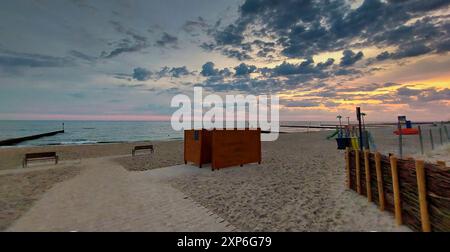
<point>300,186</point>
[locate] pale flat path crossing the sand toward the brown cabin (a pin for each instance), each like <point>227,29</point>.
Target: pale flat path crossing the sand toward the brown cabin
<point>106,197</point>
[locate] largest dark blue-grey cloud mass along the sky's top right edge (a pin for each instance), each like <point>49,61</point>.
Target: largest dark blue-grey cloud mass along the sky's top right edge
<point>302,27</point>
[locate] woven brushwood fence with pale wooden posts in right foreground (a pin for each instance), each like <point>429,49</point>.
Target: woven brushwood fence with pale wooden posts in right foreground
<point>418,193</point>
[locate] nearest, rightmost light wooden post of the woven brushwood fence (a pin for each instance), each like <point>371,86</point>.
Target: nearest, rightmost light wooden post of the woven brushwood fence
<point>421,187</point>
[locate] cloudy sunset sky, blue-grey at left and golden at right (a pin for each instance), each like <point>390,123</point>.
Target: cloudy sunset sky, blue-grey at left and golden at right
<point>126,59</point>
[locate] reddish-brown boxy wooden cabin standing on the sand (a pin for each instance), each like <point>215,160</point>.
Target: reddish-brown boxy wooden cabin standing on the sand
<point>222,148</point>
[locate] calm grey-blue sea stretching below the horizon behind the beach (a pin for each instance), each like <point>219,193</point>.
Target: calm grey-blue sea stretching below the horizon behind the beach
<point>91,132</point>
